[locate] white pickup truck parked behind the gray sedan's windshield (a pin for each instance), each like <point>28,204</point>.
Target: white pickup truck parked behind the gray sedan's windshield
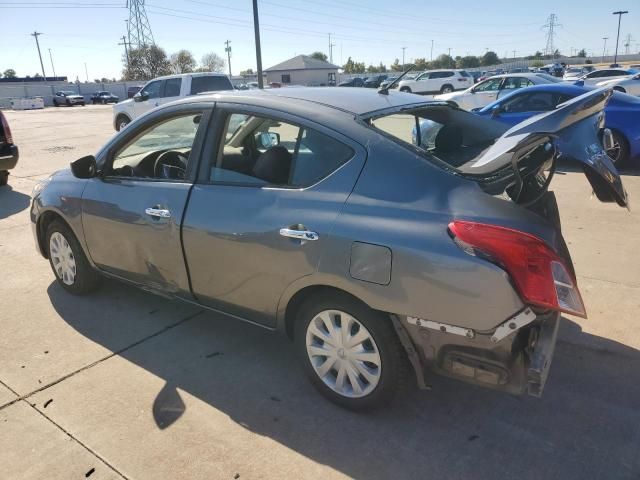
<point>166,89</point>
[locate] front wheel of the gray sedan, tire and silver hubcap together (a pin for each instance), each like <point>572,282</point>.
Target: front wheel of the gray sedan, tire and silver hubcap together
<point>68,261</point>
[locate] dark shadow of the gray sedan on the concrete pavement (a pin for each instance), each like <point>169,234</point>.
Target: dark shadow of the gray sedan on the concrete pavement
<point>587,425</point>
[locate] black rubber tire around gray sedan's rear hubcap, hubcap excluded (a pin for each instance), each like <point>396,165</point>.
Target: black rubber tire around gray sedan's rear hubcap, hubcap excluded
<point>394,367</point>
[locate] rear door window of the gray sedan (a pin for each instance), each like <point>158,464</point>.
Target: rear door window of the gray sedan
<point>260,151</point>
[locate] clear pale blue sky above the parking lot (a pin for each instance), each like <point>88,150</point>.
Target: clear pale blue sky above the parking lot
<point>373,31</point>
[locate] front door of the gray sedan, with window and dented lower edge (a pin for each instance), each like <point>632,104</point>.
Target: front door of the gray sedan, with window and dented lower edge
<point>132,212</point>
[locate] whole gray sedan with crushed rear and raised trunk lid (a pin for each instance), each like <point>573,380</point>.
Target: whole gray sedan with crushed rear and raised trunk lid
<point>310,212</point>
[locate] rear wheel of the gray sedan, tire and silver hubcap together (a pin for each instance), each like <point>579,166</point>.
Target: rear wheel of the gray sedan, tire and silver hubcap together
<point>351,353</point>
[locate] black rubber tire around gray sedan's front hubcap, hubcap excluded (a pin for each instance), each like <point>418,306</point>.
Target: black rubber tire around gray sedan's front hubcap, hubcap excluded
<point>87,279</point>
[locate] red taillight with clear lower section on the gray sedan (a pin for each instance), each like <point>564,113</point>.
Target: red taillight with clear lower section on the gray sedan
<point>540,276</point>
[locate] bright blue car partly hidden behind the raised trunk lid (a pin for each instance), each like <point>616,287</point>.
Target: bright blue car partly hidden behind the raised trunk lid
<point>622,114</point>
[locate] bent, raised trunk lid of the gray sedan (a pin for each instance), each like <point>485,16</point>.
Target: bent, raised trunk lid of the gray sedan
<point>573,131</point>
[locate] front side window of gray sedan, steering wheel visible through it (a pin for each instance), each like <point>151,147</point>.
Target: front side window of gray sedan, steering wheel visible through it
<point>173,137</point>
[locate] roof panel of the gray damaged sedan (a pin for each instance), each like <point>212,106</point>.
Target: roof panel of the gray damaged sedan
<point>358,101</point>
